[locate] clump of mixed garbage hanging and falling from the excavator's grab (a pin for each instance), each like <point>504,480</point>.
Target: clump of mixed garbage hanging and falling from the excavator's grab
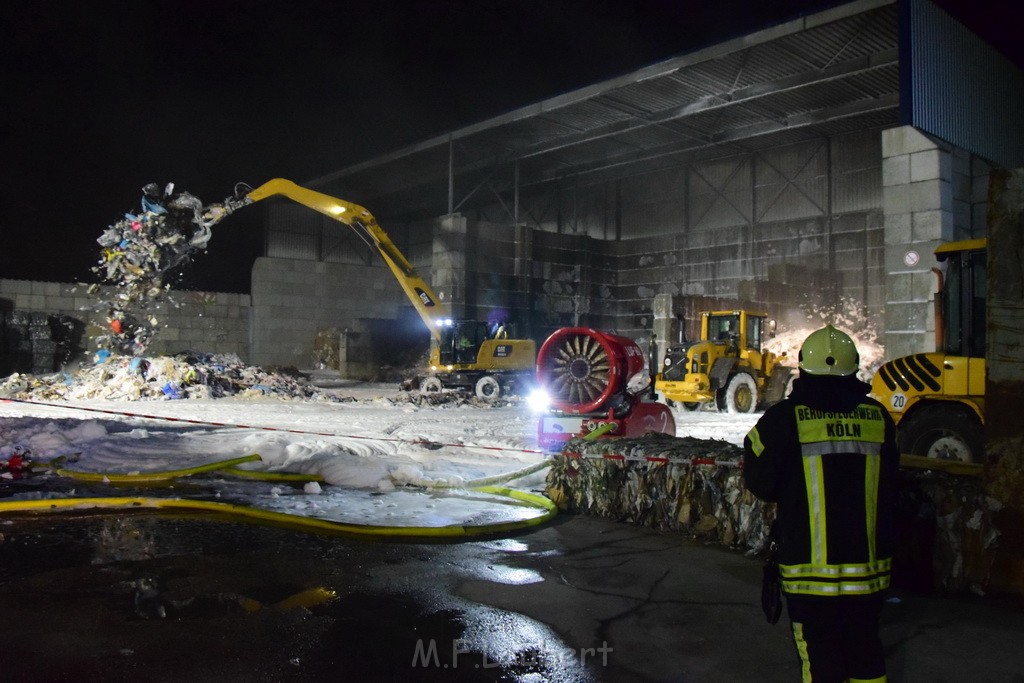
<point>141,261</point>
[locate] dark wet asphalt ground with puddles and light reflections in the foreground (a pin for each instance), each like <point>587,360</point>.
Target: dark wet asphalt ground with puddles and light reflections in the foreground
<point>144,597</point>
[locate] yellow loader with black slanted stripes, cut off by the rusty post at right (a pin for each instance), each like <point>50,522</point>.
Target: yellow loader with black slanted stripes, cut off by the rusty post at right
<point>938,400</point>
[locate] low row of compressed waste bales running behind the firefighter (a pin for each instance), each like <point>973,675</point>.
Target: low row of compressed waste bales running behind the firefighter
<point>950,539</point>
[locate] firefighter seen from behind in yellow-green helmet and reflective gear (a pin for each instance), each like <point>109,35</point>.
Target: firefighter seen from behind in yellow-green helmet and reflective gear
<point>827,456</point>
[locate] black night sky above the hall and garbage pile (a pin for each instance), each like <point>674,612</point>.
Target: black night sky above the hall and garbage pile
<point>101,99</point>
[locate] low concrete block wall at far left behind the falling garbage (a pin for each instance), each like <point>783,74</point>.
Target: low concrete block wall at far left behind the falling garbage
<point>205,322</point>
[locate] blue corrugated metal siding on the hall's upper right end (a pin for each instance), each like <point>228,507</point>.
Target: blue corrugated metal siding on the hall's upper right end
<point>963,91</point>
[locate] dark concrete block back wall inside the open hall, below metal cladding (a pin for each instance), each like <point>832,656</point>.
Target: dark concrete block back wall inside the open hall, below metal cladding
<point>797,266</point>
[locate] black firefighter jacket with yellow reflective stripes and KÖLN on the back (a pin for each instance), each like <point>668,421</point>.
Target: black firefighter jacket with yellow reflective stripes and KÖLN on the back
<point>828,457</point>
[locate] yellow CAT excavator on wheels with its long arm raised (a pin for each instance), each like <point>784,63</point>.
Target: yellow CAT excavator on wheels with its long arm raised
<point>464,354</point>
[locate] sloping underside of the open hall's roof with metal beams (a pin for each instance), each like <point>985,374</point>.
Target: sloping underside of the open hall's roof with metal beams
<point>822,75</point>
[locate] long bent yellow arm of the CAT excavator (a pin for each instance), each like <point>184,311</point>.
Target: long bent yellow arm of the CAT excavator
<point>424,301</point>
